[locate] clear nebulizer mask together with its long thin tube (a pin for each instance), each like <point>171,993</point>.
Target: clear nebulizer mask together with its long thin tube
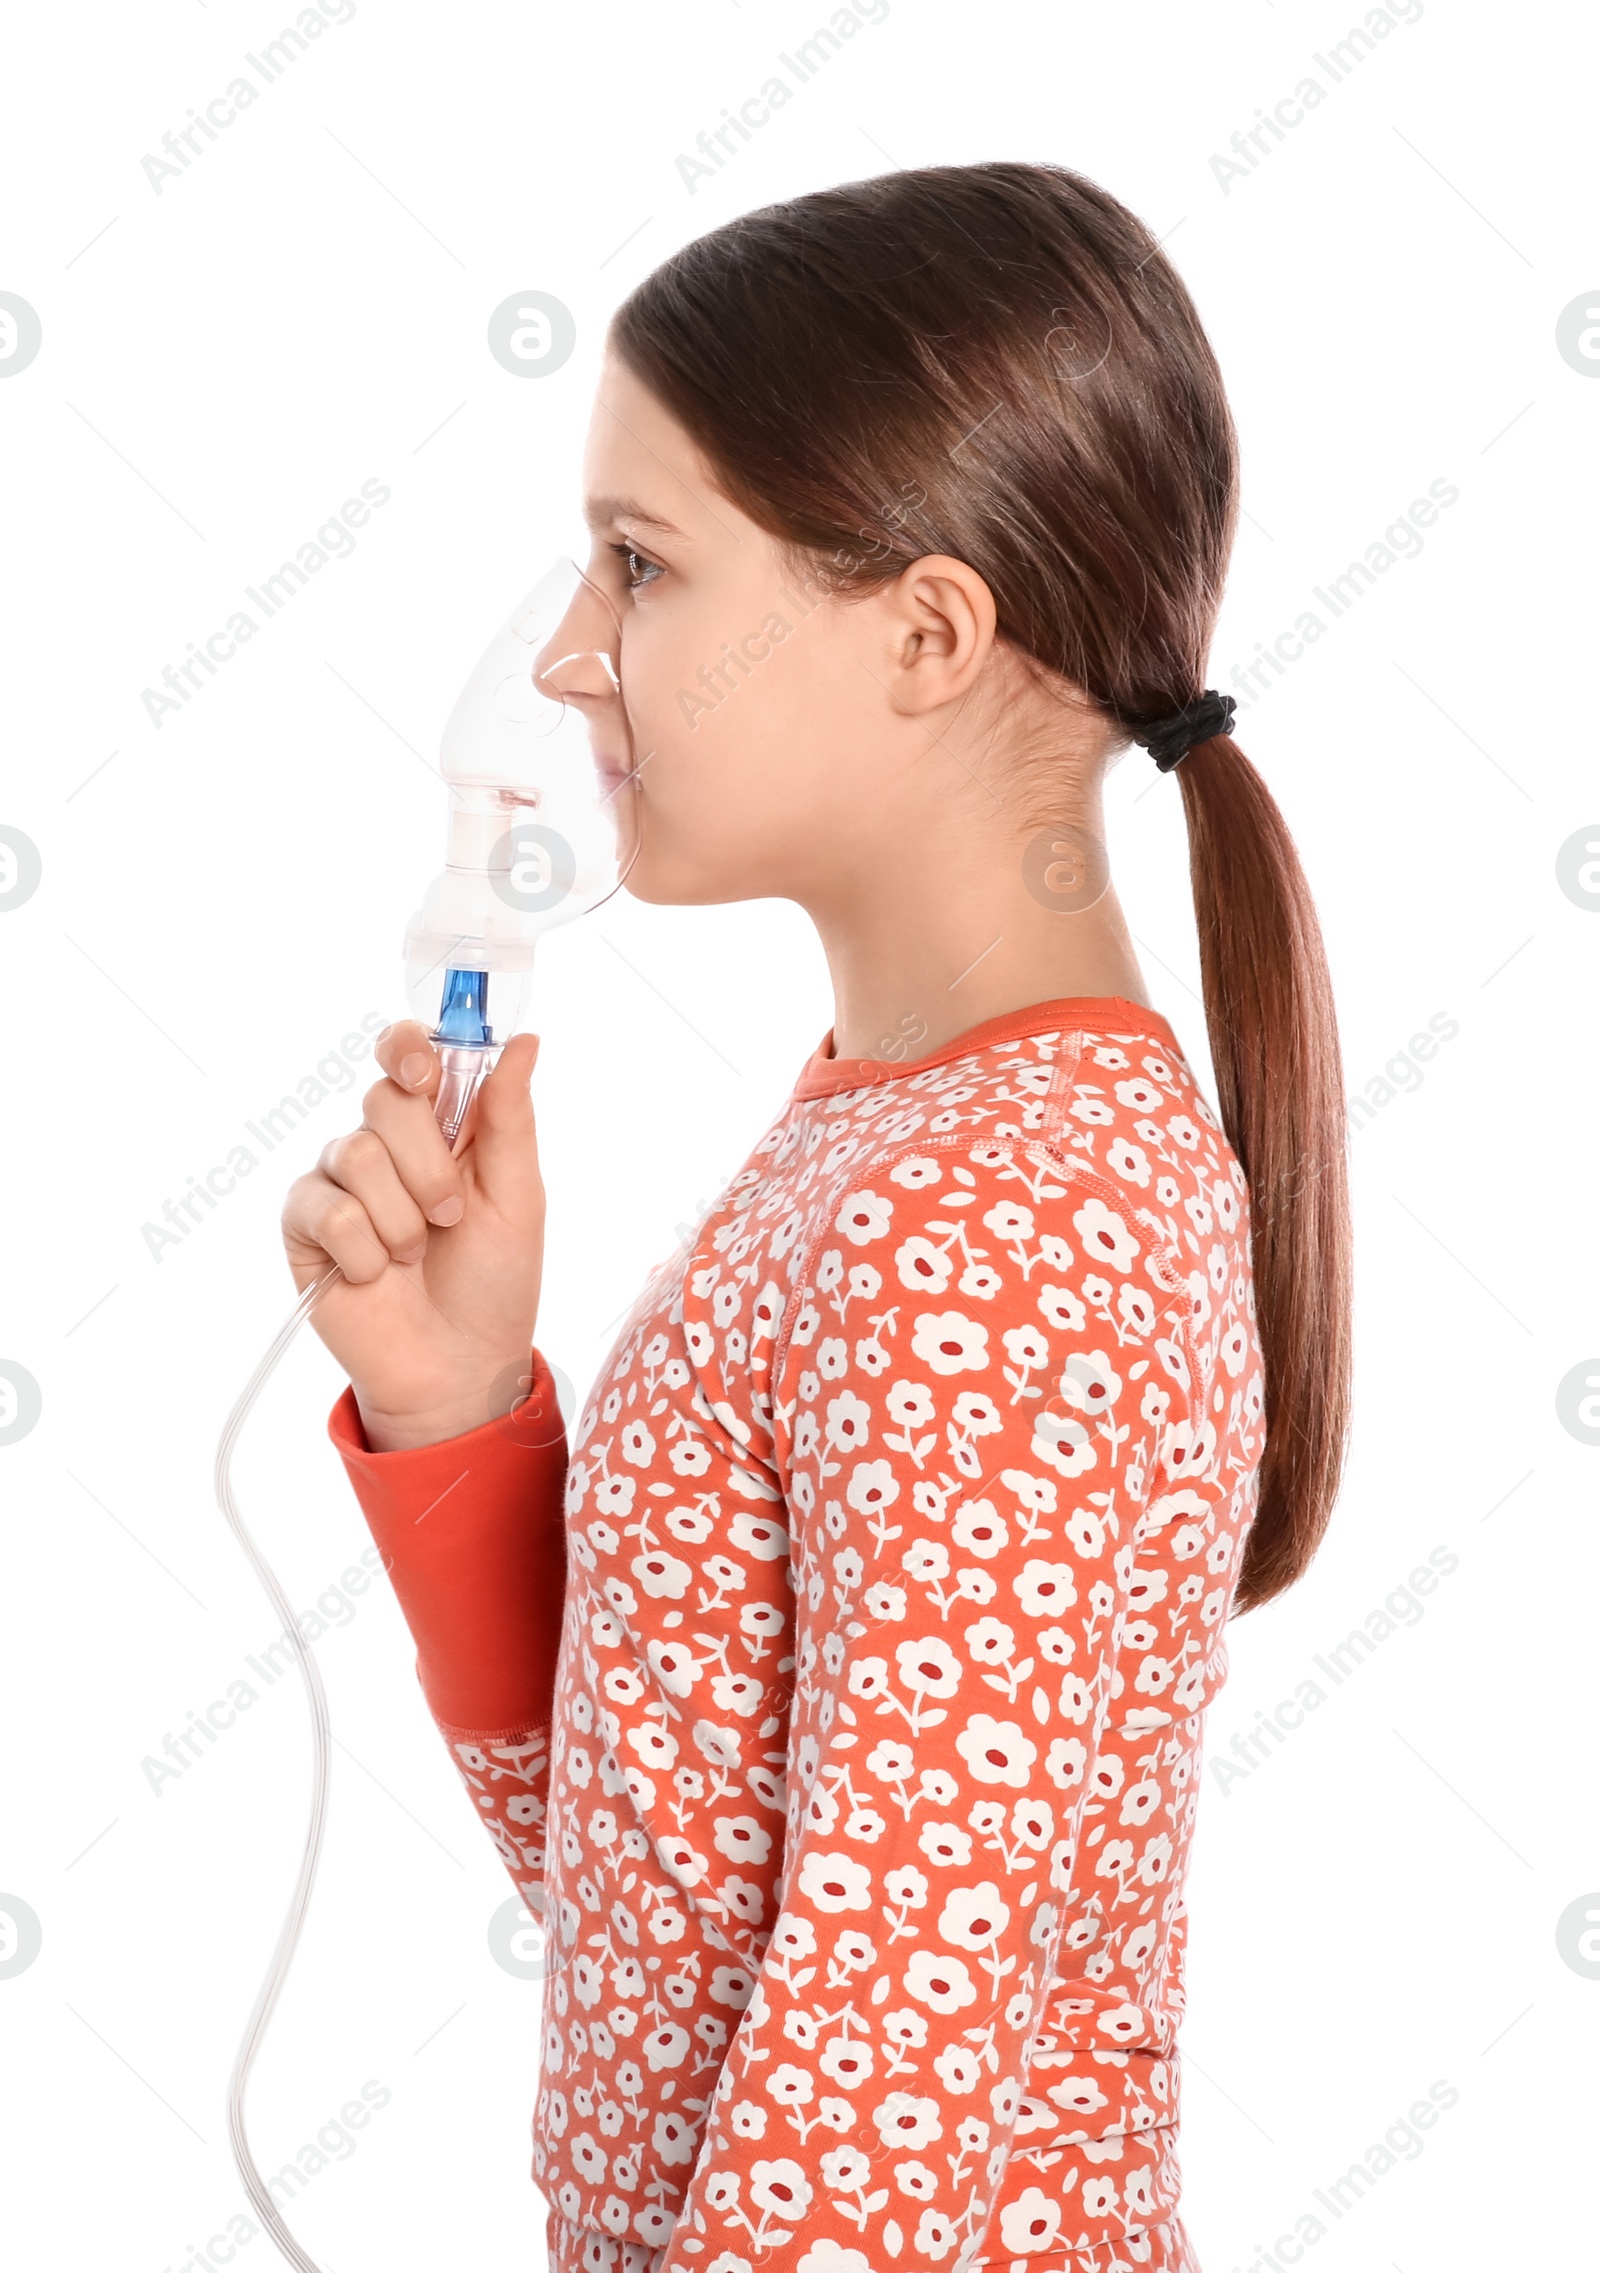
<point>542,829</point>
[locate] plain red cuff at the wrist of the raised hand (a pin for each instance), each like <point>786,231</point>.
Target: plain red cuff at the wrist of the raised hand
<point>472,1533</point>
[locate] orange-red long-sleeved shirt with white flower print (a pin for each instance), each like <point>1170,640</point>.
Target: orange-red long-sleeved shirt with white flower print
<point>856,1760</point>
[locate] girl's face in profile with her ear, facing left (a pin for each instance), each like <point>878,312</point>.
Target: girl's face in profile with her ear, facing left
<point>781,744</point>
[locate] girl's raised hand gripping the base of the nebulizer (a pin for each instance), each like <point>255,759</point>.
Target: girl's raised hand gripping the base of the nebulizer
<point>442,1254</point>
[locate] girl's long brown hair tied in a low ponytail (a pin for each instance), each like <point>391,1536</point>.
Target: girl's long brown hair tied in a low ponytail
<point>999,363</point>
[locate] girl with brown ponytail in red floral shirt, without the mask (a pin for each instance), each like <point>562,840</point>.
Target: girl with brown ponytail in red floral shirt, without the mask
<point>840,1695</point>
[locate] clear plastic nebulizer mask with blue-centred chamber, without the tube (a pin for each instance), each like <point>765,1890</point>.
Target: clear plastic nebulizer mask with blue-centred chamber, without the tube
<point>535,833</point>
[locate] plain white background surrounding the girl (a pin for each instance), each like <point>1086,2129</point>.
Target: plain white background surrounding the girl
<point>1376,1904</point>
